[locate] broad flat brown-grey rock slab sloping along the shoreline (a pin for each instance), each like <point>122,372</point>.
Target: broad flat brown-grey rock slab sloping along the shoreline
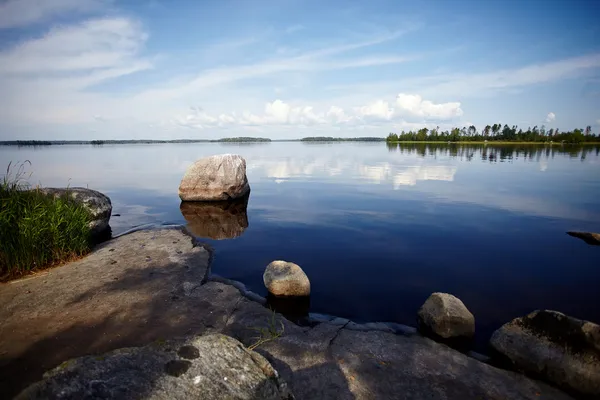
<point>82,311</point>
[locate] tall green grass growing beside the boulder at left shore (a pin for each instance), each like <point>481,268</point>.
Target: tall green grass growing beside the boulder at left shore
<point>36,230</point>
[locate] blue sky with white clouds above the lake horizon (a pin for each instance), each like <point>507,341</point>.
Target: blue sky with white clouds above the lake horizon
<point>158,69</point>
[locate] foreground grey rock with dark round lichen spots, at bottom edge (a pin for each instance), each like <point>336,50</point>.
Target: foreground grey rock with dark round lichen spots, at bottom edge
<point>216,367</point>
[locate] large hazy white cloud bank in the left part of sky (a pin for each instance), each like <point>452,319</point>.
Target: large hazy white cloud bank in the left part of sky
<point>44,78</point>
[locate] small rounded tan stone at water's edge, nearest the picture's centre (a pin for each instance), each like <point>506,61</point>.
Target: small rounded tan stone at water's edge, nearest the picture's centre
<point>282,278</point>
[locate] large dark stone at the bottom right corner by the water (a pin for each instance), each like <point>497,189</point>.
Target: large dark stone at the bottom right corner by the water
<point>560,349</point>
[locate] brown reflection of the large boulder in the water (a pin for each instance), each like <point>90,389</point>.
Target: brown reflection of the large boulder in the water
<point>216,220</point>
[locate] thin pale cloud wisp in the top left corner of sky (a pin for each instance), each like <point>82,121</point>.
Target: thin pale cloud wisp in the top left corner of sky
<point>18,13</point>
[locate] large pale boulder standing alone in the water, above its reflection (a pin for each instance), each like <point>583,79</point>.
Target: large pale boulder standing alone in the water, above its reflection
<point>220,177</point>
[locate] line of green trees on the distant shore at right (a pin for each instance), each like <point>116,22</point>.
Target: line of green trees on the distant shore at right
<point>496,132</point>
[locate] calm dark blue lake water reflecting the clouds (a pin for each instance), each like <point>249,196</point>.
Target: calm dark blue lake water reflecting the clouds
<point>378,228</point>
